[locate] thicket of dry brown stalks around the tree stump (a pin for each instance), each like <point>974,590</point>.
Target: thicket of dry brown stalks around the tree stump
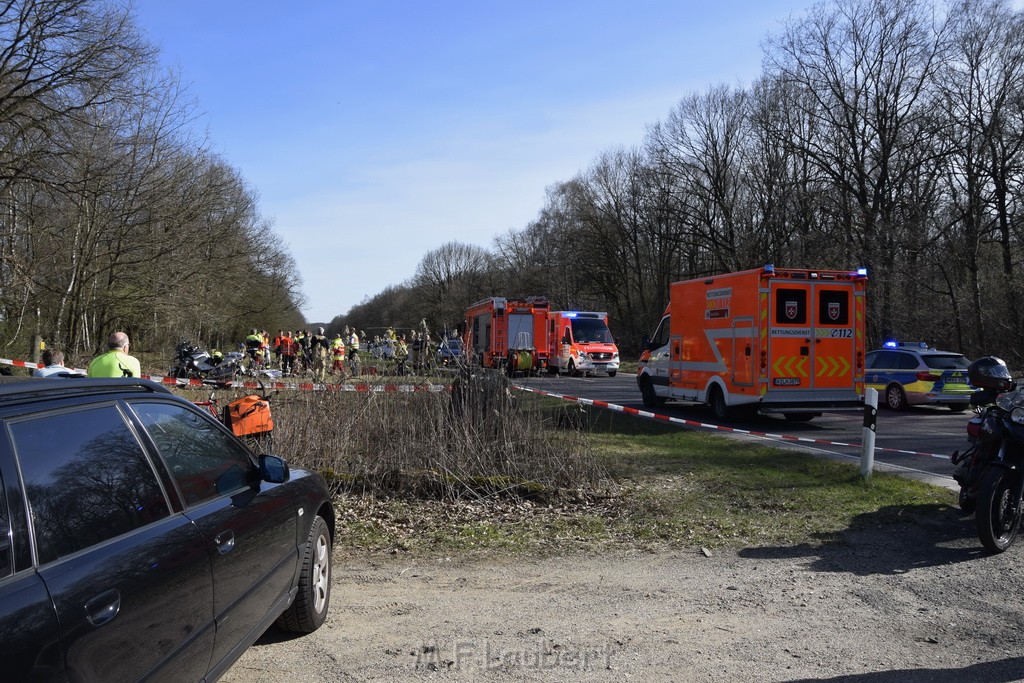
<point>481,439</point>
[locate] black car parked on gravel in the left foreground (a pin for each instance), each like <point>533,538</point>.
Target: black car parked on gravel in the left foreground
<point>143,540</point>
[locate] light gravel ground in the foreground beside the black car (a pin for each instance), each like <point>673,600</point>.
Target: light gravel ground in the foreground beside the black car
<point>914,603</point>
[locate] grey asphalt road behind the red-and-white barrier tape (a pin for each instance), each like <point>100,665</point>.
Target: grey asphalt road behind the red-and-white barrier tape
<point>921,430</point>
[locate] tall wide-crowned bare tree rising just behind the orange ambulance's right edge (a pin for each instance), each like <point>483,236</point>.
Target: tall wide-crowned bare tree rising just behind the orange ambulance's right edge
<point>859,73</point>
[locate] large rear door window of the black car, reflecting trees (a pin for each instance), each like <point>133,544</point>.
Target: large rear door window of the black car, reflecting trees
<point>88,480</point>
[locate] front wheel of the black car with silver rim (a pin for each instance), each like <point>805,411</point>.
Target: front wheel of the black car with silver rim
<point>310,610</point>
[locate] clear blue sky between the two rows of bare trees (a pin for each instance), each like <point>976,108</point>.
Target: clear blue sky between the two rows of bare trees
<point>375,132</point>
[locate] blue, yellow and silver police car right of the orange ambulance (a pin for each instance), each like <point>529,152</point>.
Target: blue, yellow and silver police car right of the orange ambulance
<point>915,374</point>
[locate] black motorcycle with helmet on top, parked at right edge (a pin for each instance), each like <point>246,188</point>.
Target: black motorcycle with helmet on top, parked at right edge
<point>992,472</point>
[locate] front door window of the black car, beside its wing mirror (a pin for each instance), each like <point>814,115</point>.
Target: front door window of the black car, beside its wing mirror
<point>205,461</point>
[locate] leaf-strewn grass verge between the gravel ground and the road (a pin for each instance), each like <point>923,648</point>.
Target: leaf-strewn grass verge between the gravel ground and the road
<point>664,488</point>
